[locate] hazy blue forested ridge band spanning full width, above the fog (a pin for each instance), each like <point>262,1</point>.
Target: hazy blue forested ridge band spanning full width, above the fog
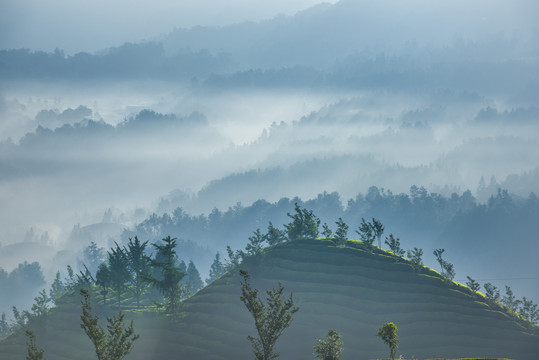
<point>149,60</point>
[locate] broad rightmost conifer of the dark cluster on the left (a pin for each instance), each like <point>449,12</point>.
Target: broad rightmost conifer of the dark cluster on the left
<point>167,281</point>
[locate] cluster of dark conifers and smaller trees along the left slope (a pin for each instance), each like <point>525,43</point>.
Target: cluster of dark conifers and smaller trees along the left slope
<point>128,276</point>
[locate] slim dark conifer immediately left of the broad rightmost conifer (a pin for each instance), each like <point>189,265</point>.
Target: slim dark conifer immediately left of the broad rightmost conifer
<point>139,266</point>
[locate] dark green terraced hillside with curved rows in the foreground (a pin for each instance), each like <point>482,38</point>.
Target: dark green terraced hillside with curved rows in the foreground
<point>347,289</point>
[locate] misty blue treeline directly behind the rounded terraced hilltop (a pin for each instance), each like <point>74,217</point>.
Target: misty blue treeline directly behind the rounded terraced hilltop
<point>419,216</point>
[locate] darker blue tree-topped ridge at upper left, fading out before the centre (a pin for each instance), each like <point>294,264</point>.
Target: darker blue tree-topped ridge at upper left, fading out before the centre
<point>142,60</point>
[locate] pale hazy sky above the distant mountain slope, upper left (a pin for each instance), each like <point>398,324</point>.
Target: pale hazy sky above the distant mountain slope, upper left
<point>90,25</point>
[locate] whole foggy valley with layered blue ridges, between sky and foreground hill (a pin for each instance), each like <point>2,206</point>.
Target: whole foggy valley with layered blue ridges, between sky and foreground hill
<point>213,119</point>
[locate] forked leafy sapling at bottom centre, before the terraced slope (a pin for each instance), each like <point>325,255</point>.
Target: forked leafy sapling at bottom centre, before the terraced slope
<point>270,319</point>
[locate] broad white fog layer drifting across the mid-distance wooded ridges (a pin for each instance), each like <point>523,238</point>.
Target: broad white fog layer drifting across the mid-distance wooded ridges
<point>227,147</point>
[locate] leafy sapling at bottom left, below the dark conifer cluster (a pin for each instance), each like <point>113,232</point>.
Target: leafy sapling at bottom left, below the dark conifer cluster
<point>115,344</point>
